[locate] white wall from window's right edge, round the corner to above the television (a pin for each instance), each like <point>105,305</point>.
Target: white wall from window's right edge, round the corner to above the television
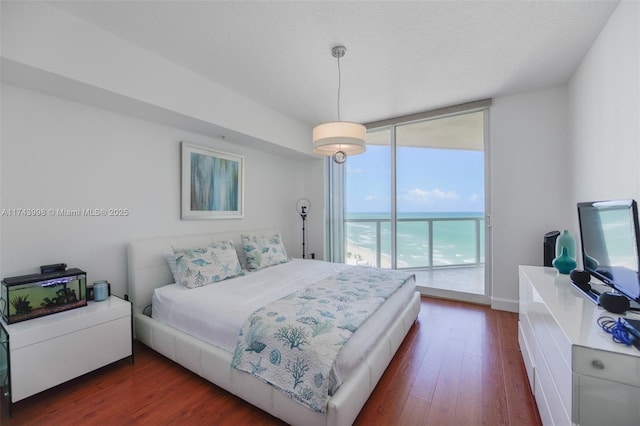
<point>553,148</point>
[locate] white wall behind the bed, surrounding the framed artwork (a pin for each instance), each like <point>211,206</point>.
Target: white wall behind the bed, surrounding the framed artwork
<point>66,155</point>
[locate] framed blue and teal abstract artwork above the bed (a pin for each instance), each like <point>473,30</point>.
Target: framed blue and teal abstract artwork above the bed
<point>212,183</point>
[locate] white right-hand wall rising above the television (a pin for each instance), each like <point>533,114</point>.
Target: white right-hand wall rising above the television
<point>604,99</point>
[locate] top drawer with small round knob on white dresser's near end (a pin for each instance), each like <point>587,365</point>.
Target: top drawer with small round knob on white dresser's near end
<point>607,365</point>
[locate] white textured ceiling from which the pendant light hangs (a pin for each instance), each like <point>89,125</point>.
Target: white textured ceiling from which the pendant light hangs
<point>402,57</point>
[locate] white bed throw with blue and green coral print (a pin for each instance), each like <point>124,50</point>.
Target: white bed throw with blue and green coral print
<point>293,342</point>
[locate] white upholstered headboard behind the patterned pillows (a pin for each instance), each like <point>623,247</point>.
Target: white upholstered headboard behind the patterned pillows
<point>147,264</point>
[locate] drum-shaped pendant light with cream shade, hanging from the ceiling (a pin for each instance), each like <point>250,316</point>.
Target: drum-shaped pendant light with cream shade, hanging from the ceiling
<point>339,138</point>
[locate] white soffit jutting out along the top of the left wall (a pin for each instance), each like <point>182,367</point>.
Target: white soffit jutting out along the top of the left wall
<point>47,48</point>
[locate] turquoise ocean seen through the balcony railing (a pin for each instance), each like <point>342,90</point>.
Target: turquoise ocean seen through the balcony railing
<point>454,237</point>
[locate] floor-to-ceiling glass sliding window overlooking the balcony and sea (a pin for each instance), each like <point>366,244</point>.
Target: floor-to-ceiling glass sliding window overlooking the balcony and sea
<point>416,200</point>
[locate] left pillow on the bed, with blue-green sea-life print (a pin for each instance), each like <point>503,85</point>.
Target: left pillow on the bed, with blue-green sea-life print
<point>197,267</point>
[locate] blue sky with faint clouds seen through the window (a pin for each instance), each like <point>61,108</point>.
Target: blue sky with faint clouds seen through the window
<point>429,180</point>
